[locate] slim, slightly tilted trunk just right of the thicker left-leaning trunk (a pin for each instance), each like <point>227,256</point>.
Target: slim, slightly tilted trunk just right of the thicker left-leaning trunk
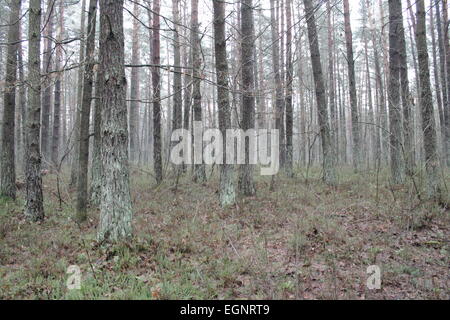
<point>356,150</point>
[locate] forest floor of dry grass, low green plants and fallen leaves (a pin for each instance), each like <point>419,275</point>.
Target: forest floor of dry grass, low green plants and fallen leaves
<point>303,240</point>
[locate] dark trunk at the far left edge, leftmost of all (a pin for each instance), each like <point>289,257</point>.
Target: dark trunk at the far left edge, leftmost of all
<point>8,157</point>
